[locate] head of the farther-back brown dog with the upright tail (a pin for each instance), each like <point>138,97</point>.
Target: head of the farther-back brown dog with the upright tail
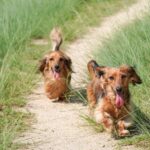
<point>57,64</point>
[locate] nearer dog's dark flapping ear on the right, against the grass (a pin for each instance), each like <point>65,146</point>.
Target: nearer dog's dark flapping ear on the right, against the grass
<point>133,76</point>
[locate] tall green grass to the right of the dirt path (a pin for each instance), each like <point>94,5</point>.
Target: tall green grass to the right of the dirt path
<point>131,45</point>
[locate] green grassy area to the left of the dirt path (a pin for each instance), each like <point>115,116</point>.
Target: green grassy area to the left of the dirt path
<point>23,20</point>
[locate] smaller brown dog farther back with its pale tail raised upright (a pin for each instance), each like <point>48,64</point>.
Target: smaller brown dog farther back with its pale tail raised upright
<point>56,69</point>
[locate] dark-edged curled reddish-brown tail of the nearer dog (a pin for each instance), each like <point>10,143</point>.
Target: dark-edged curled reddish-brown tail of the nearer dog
<point>92,65</point>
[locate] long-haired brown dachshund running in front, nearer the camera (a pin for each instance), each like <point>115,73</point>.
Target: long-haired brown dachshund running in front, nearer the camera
<point>109,97</point>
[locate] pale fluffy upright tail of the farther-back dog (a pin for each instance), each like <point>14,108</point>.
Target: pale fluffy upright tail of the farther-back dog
<point>56,39</point>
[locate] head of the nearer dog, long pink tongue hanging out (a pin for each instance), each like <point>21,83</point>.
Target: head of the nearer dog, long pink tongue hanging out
<point>119,79</point>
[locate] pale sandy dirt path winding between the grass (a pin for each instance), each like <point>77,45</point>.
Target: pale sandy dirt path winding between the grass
<point>58,126</point>
